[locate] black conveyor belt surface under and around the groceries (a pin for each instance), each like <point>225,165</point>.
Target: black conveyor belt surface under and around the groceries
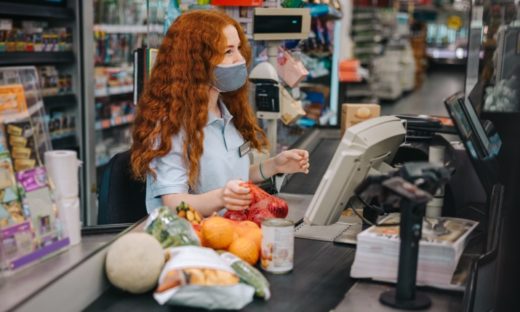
<point>319,281</point>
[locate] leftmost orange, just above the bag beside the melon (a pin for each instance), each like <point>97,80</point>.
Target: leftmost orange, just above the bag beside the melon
<point>217,232</point>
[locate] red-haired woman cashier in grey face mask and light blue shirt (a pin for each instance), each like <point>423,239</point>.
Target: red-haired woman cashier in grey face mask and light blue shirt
<point>194,124</point>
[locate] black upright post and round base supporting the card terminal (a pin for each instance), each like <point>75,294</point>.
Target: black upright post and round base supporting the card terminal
<point>413,207</point>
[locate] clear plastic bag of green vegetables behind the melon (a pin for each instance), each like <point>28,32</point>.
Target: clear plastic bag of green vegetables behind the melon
<point>170,230</point>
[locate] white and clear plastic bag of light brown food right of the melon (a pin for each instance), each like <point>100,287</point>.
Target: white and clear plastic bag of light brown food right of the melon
<point>198,277</point>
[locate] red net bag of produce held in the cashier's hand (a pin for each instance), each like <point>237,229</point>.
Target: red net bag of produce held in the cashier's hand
<point>263,206</point>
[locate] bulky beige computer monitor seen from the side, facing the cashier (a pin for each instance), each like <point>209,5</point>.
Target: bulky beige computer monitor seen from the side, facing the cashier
<point>363,147</point>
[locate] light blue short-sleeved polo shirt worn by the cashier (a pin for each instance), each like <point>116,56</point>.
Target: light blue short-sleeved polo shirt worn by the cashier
<point>219,162</point>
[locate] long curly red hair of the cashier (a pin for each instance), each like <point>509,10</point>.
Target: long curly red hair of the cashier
<point>177,94</point>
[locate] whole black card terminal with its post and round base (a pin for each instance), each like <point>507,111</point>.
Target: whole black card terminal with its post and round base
<point>410,189</point>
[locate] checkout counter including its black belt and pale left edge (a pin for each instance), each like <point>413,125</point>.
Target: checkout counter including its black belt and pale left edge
<point>75,279</point>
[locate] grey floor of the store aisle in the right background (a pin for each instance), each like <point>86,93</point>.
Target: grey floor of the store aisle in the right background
<point>441,82</point>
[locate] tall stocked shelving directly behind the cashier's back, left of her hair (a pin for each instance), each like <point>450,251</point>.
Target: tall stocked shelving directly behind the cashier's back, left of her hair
<point>112,31</point>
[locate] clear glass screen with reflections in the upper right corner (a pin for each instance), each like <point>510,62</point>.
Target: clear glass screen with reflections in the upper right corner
<point>493,71</point>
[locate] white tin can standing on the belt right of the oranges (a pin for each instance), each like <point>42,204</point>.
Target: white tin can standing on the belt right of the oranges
<point>277,245</point>
